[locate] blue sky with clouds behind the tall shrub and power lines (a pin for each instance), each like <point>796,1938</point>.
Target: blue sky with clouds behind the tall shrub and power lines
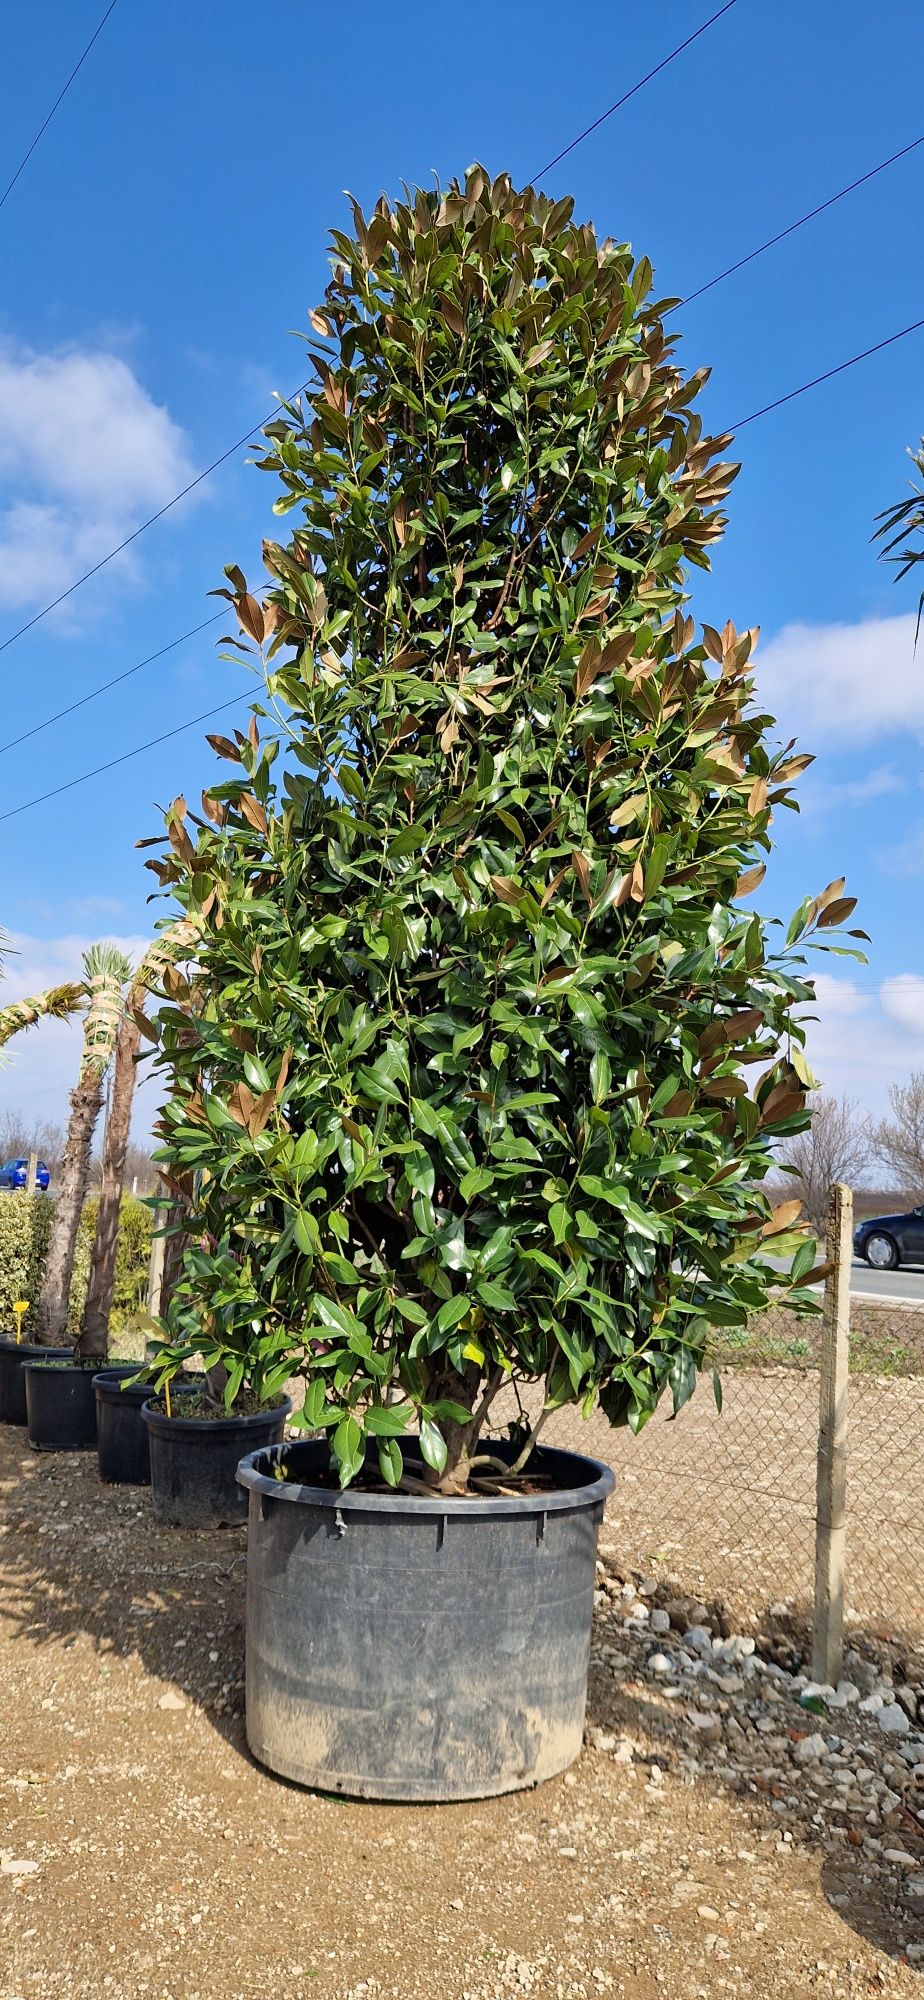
<point>171,231</point>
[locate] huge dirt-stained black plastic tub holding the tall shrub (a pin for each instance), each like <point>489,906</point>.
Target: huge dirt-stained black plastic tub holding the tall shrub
<point>419,1649</point>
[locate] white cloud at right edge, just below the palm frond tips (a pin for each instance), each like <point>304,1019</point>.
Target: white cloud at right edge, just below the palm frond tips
<point>843,683</point>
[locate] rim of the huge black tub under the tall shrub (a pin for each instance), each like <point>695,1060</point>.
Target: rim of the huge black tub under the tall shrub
<point>419,1505</point>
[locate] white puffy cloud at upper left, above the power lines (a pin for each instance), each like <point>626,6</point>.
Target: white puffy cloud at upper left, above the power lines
<point>85,455</point>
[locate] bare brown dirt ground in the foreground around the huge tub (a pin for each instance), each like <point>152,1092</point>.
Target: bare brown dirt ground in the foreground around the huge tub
<point>143,1853</point>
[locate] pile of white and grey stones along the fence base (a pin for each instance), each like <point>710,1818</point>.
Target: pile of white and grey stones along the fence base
<point>837,1765</point>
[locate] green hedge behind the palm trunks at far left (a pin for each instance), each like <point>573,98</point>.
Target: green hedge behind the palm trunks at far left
<point>25,1231</point>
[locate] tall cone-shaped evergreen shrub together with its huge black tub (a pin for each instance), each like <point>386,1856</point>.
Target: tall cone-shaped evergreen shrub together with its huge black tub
<point>483,1057</point>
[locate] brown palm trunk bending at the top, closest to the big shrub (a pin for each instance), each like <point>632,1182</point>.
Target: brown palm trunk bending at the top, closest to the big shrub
<point>173,945</point>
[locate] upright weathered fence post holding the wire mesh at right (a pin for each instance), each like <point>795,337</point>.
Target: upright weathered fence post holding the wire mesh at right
<point>833,1435</point>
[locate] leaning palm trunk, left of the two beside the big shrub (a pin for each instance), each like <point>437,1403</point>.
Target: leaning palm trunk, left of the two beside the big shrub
<point>105,975</point>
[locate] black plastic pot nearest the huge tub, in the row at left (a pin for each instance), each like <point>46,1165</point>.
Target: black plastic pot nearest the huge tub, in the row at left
<point>195,1461</point>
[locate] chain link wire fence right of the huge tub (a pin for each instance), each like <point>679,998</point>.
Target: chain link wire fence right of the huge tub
<point>723,1505</point>
